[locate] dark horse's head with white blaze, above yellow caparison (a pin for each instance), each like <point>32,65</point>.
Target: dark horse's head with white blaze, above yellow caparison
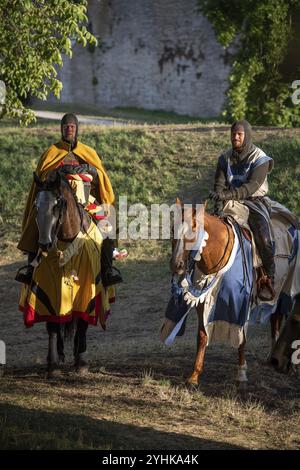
<point>50,208</point>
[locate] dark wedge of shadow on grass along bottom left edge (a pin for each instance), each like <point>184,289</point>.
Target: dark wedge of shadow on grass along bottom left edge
<point>21,428</point>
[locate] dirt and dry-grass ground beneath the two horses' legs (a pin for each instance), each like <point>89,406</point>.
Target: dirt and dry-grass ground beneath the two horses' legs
<point>134,396</point>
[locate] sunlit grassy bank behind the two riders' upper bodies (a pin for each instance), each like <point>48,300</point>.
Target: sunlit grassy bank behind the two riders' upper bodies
<point>149,165</point>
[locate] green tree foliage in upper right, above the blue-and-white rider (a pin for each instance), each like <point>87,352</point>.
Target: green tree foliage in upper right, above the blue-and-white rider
<point>260,33</point>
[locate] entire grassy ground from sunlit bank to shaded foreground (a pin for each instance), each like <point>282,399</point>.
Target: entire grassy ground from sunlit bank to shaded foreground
<point>134,396</point>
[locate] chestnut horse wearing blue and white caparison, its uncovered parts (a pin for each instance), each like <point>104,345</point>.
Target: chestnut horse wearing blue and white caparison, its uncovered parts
<point>214,257</point>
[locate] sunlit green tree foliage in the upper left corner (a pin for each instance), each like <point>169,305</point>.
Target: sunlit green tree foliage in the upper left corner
<point>34,35</point>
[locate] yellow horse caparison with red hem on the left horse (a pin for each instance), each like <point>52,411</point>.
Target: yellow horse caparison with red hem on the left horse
<point>69,286</point>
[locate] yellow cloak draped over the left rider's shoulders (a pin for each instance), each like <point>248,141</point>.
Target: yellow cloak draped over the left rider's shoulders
<point>48,161</point>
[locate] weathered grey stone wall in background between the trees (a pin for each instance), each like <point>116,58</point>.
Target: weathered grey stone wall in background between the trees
<point>153,54</point>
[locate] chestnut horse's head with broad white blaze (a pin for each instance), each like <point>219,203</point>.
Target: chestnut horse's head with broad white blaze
<point>185,233</point>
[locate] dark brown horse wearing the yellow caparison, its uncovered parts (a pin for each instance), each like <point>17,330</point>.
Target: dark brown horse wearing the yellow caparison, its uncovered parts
<point>60,217</point>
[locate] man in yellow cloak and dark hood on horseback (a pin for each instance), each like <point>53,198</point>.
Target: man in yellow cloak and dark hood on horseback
<point>70,151</point>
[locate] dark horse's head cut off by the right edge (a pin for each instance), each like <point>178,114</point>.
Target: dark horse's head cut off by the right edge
<point>283,355</point>
